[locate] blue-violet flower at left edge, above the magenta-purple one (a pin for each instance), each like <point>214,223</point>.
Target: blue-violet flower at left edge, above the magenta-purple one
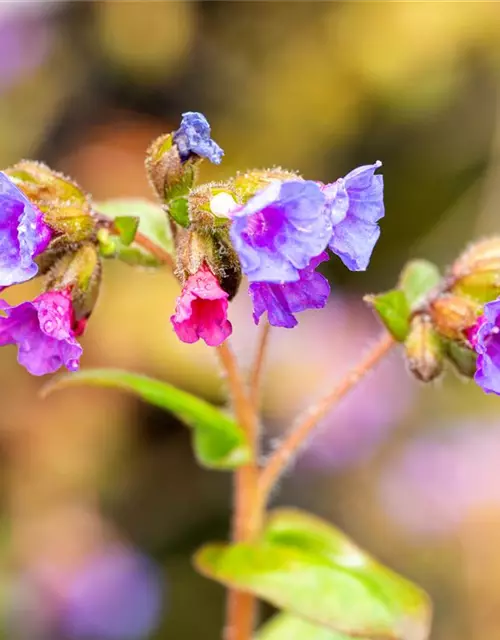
<point>23,234</point>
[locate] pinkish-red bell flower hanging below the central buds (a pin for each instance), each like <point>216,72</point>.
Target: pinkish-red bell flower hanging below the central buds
<point>201,310</point>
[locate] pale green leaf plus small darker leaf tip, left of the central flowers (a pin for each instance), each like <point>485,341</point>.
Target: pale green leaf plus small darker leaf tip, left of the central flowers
<point>153,224</point>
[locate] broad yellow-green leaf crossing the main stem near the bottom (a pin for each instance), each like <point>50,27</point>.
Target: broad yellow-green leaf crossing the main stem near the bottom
<point>311,569</point>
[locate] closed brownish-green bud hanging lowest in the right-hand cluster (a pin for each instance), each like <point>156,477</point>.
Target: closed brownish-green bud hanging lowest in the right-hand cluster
<point>423,349</point>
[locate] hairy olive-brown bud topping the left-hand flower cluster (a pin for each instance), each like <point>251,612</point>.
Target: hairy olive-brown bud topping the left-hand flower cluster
<point>66,208</point>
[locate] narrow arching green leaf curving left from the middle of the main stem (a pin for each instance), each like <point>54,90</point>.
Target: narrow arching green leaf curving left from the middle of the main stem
<point>219,442</point>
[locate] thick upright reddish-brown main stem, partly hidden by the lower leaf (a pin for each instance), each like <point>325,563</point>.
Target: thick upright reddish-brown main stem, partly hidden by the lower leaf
<point>247,517</point>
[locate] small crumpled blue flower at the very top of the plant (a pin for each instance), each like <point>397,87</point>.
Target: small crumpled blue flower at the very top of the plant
<point>193,137</point>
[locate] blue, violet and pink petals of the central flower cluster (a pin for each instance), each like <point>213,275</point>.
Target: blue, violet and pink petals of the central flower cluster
<point>281,235</point>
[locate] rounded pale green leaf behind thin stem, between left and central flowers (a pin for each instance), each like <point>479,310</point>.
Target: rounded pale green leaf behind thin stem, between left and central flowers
<point>154,225</point>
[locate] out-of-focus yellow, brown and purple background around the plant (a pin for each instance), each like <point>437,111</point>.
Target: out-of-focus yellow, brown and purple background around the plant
<point>101,501</point>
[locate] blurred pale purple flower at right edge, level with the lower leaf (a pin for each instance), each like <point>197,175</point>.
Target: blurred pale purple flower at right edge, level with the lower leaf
<point>439,478</point>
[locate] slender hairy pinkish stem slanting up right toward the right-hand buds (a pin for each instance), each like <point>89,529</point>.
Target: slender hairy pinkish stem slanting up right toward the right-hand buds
<point>296,438</point>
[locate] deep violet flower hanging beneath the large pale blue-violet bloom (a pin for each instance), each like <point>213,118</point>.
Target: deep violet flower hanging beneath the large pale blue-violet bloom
<point>281,301</point>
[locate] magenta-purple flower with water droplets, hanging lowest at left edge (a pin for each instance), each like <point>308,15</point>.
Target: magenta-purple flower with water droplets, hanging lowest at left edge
<point>43,332</point>
